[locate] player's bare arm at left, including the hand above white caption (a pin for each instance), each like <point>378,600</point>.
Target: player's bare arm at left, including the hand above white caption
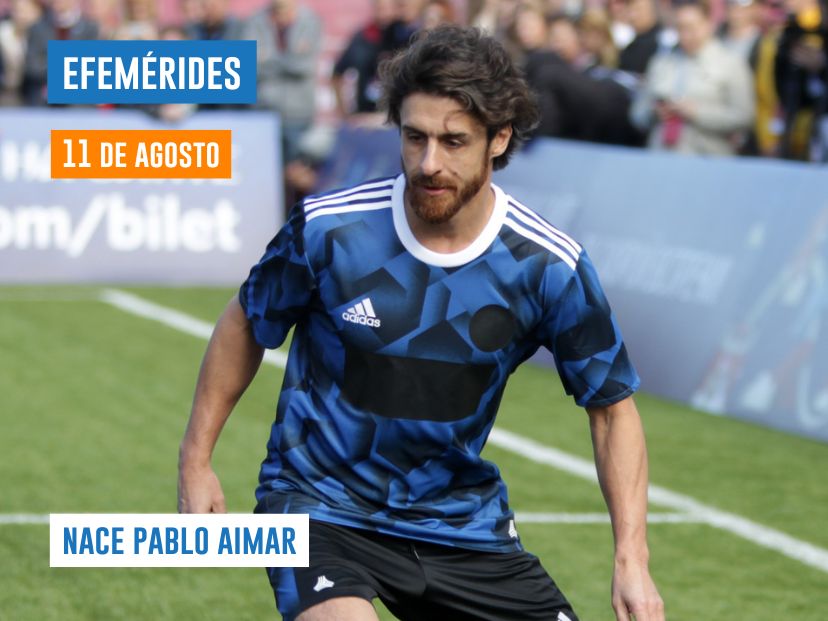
<point>233,356</point>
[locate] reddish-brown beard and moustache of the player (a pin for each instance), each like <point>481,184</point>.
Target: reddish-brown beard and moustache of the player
<point>442,208</point>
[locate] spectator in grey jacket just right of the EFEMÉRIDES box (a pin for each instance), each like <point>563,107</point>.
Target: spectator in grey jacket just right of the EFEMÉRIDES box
<point>288,37</point>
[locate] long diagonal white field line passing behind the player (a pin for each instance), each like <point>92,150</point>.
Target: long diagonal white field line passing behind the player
<point>764,536</point>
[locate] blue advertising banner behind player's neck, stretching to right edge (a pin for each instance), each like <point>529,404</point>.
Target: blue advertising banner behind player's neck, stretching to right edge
<point>716,268</point>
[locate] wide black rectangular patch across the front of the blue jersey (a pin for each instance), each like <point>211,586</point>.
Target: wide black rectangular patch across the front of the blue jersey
<point>413,388</point>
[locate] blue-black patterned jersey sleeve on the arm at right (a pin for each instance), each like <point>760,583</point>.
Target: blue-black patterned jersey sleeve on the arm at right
<point>582,333</point>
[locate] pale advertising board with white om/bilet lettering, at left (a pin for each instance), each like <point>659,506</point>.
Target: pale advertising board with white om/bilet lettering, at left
<point>158,231</point>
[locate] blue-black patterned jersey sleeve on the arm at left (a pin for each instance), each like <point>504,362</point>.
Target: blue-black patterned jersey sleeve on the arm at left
<point>279,287</point>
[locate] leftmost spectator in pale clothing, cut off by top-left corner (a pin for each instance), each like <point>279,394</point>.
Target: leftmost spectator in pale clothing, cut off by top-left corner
<point>13,36</point>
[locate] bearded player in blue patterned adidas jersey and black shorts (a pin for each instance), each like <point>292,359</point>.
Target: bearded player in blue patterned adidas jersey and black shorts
<point>412,300</point>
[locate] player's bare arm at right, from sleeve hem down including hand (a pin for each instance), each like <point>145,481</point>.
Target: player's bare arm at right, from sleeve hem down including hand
<point>621,461</point>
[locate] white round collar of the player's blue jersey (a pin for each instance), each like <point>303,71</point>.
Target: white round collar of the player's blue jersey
<point>446,259</point>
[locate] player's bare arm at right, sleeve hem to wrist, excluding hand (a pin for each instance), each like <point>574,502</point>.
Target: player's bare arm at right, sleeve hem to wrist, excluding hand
<point>621,460</point>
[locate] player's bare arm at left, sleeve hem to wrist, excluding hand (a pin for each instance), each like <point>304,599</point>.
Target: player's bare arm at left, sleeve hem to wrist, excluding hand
<point>228,367</point>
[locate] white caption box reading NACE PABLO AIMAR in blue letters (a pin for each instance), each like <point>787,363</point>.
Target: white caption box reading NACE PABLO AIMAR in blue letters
<point>174,540</point>
